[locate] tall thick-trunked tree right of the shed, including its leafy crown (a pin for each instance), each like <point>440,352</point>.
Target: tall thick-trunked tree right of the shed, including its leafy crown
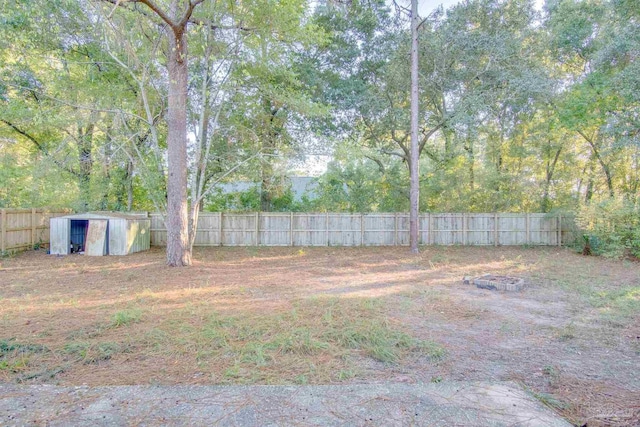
<point>226,68</point>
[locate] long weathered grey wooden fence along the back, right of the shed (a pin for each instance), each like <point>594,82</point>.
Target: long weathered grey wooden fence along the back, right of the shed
<point>374,229</point>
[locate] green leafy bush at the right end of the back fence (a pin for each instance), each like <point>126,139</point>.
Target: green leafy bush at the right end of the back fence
<point>611,228</point>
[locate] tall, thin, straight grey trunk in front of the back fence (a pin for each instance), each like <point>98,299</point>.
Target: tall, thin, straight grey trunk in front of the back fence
<point>414,192</point>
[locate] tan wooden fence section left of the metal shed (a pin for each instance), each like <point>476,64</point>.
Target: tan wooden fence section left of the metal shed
<point>25,228</point>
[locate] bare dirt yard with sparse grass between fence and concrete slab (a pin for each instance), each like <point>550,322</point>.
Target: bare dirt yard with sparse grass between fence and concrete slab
<point>331,315</point>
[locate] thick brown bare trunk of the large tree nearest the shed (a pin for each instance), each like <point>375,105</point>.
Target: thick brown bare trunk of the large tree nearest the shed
<point>178,250</point>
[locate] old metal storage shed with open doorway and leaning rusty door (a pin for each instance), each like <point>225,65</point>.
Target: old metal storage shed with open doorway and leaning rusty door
<point>99,233</point>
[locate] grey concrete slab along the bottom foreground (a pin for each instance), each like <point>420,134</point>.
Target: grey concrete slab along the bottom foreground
<point>444,404</point>
